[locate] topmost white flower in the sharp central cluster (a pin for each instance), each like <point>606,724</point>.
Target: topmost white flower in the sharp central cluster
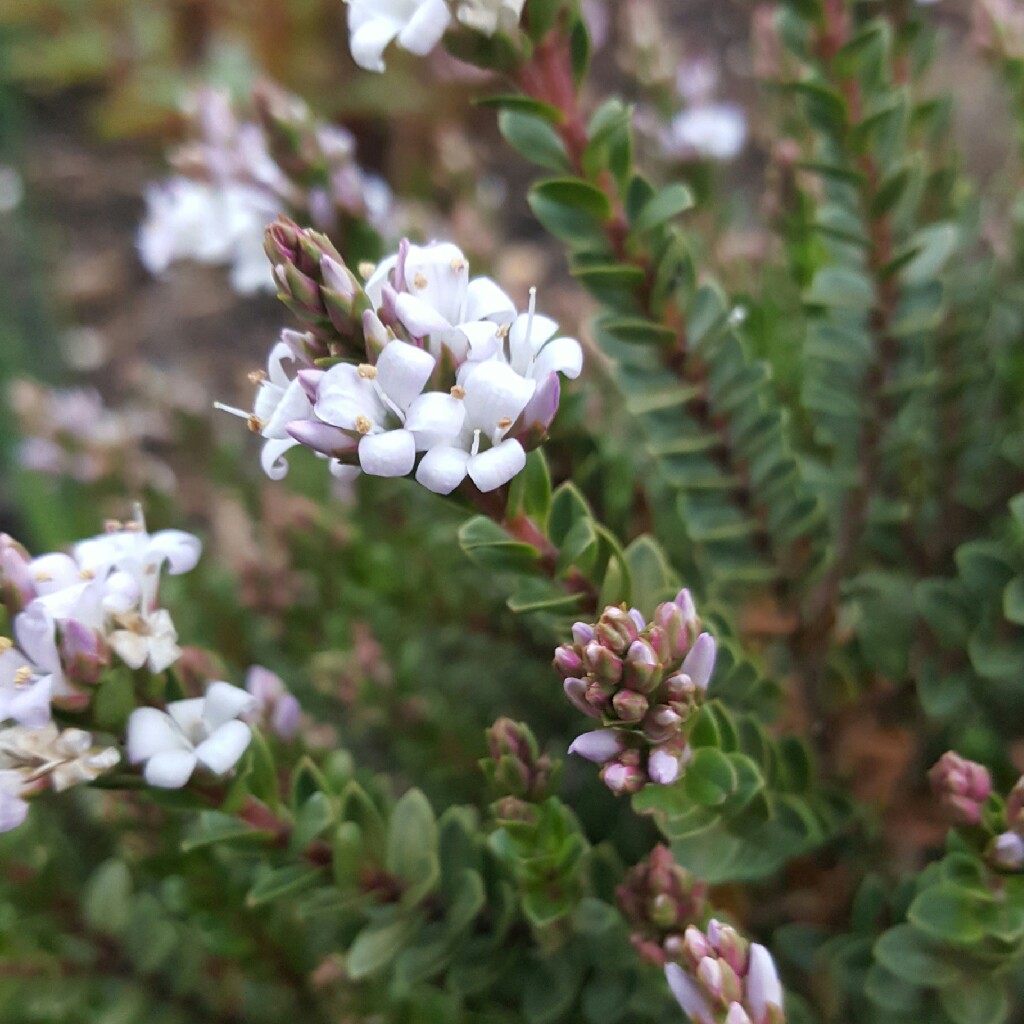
<point>438,302</point>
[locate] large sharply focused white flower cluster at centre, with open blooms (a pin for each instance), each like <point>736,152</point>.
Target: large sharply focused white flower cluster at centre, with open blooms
<point>457,385</point>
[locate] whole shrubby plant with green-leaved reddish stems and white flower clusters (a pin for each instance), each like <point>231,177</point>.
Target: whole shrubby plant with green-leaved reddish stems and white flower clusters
<point>826,447</point>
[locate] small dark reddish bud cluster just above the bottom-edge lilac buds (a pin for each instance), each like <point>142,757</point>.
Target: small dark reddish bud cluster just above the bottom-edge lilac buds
<point>660,900</point>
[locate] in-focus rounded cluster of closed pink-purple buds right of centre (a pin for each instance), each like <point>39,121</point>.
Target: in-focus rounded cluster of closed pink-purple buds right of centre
<point>644,681</point>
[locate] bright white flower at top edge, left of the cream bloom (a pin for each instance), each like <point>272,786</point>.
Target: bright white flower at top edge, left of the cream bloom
<point>417,25</point>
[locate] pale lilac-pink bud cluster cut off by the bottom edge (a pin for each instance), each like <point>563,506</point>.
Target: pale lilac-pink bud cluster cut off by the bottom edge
<point>720,978</point>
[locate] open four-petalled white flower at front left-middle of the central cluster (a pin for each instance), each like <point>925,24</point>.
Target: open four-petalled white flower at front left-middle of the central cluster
<point>383,405</point>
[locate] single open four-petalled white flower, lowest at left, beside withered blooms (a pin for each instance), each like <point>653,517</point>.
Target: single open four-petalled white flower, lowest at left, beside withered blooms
<point>199,732</point>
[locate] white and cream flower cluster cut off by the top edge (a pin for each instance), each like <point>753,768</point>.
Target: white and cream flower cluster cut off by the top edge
<point>417,26</point>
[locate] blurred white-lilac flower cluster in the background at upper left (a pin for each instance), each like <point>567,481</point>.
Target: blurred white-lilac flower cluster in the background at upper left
<point>230,188</point>
